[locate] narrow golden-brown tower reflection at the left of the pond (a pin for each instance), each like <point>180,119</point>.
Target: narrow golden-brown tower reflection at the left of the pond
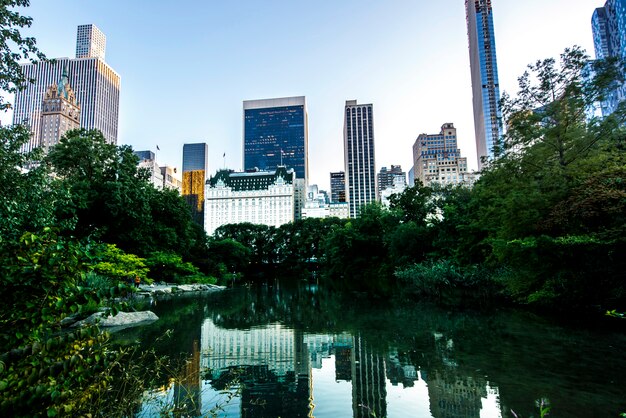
<point>187,391</point>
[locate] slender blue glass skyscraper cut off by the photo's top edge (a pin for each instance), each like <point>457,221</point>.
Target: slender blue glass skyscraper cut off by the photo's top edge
<point>485,86</point>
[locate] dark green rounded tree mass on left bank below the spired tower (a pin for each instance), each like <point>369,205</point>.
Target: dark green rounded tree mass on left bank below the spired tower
<point>112,200</point>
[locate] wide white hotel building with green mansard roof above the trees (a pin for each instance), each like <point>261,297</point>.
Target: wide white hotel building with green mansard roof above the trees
<point>259,197</point>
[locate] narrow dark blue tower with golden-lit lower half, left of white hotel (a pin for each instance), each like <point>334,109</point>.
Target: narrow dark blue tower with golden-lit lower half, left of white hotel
<point>195,170</point>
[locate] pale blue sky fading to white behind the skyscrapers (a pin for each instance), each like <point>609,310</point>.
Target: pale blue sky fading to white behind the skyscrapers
<point>186,67</point>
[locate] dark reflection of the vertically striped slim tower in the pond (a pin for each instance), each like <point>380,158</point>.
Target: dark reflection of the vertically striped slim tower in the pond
<point>369,393</point>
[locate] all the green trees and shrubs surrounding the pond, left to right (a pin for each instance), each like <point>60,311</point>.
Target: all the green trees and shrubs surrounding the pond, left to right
<point>544,225</point>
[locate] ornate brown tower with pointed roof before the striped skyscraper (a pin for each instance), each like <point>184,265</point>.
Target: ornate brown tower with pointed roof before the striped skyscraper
<point>59,113</point>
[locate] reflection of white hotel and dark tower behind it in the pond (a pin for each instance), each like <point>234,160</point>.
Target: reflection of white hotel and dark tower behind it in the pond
<point>272,363</point>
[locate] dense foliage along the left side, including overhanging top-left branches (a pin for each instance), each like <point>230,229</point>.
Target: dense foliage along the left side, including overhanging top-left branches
<point>74,226</point>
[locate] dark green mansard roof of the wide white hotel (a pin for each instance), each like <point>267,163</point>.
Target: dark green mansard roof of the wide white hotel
<point>260,180</point>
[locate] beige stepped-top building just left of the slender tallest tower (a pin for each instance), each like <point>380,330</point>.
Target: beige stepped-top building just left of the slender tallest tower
<point>437,159</point>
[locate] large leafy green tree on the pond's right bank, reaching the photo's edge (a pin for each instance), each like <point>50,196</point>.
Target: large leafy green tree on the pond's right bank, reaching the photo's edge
<point>552,204</point>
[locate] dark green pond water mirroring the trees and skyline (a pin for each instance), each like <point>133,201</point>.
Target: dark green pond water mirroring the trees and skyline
<point>298,351</point>
